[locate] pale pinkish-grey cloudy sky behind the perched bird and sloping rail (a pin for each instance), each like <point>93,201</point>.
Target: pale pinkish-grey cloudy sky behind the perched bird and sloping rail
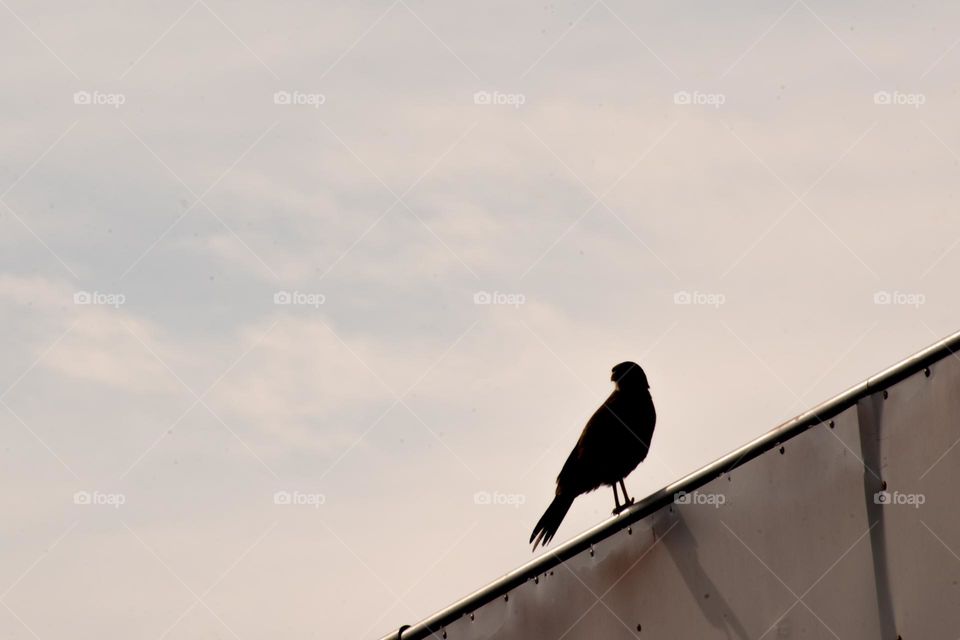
<point>185,163</point>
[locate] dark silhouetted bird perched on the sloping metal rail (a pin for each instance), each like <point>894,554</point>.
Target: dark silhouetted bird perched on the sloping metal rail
<point>615,440</point>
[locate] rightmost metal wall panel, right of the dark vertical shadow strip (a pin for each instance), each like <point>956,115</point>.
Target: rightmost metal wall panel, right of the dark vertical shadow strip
<point>913,434</point>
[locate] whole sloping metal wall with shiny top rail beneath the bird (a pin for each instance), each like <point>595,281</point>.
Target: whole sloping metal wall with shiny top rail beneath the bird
<point>840,523</point>
